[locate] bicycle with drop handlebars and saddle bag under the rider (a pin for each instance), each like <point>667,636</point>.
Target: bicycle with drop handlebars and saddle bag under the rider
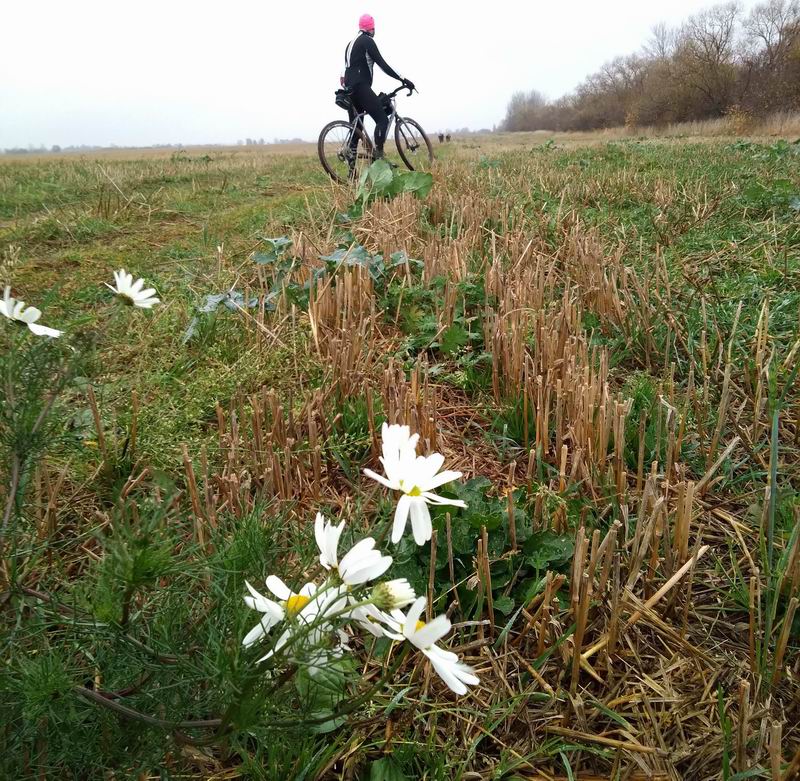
<point>345,148</point>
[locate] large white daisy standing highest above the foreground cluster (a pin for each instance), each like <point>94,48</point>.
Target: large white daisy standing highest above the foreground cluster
<point>416,476</point>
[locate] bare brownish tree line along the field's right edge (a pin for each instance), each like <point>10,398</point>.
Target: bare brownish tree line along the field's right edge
<point>719,62</point>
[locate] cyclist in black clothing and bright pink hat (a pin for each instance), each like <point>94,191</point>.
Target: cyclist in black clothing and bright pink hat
<point>359,57</point>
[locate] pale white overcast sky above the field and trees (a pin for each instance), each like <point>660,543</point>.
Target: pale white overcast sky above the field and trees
<point>170,71</point>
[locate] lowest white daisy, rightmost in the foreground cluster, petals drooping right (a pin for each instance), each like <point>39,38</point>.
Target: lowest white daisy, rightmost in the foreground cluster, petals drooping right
<point>424,636</point>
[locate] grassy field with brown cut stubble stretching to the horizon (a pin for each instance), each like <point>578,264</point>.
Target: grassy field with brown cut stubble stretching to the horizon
<point>603,335</point>
